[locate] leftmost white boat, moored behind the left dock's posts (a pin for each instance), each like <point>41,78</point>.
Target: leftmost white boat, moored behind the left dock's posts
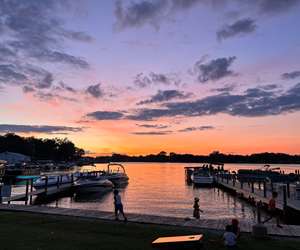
<point>53,180</point>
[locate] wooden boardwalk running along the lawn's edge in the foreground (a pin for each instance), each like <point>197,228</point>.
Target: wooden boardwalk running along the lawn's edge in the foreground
<point>208,224</point>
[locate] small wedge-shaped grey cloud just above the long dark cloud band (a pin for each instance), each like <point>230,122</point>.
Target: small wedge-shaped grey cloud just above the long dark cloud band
<point>165,95</point>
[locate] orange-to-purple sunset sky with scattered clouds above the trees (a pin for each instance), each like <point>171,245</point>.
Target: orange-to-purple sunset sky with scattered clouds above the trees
<point>142,76</point>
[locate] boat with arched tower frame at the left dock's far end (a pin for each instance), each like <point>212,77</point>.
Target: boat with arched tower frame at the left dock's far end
<point>116,174</point>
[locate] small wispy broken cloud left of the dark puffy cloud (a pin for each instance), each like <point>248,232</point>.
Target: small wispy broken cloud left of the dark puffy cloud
<point>144,81</point>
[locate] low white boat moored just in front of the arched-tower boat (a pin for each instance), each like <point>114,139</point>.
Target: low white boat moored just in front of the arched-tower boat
<point>93,185</point>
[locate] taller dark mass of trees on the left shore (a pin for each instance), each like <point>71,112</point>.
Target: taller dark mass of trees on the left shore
<point>41,149</point>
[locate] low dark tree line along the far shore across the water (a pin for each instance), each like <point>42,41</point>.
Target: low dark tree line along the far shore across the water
<point>215,157</point>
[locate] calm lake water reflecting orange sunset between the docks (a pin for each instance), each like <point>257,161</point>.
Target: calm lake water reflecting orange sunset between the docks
<point>160,189</point>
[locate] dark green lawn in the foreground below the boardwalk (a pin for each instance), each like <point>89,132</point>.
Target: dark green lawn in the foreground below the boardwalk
<point>34,231</point>
